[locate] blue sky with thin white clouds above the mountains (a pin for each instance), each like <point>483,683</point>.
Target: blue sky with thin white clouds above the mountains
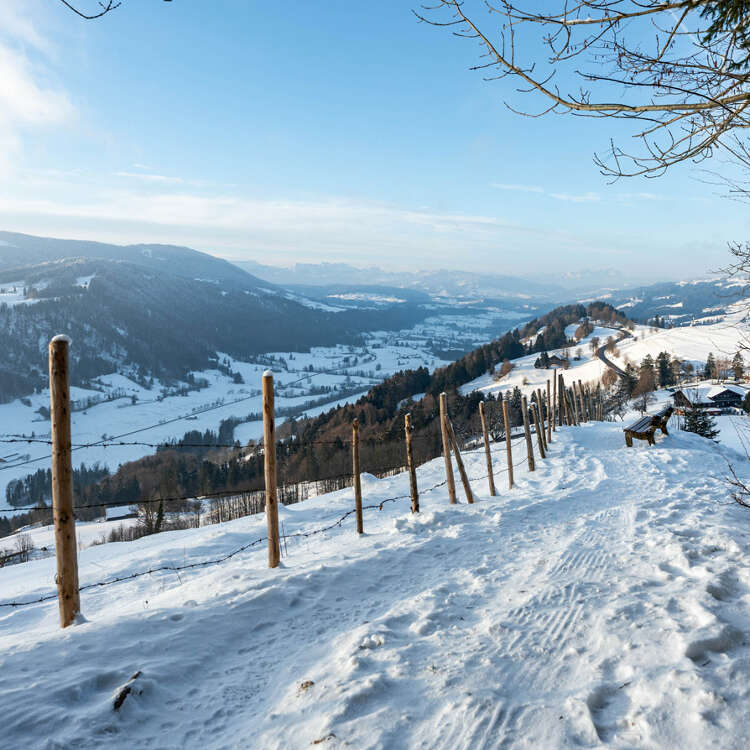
<point>298,131</point>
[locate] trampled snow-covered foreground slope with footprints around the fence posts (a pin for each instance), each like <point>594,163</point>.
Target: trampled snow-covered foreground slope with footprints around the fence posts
<point>604,602</point>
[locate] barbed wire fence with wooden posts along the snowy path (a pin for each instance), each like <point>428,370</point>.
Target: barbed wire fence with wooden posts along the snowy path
<point>576,404</point>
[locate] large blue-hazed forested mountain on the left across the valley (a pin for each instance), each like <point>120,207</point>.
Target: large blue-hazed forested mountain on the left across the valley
<point>152,311</point>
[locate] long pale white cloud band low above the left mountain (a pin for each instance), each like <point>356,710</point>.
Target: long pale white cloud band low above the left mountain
<point>330,228</point>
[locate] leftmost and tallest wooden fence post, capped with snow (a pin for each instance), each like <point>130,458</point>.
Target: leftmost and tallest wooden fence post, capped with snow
<point>66,551</point>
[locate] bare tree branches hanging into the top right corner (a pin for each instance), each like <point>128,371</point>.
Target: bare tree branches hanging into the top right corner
<point>679,69</point>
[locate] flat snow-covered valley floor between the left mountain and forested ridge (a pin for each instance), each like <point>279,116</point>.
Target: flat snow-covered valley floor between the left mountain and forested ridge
<point>350,370</point>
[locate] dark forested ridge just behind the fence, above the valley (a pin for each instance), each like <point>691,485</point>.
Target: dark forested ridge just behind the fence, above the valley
<point>320,449</point>
